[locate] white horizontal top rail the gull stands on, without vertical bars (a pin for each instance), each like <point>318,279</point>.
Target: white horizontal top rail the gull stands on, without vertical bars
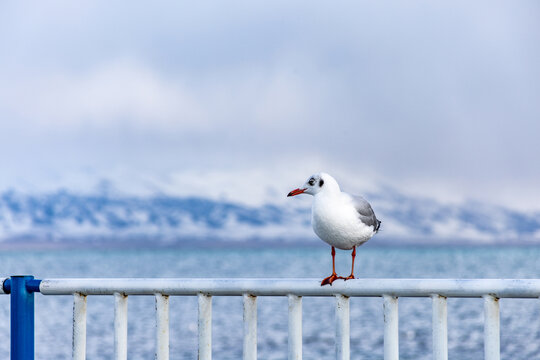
<point>498,288</point>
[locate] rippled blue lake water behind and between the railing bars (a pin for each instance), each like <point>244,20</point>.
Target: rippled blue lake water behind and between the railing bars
<point>520,318</point>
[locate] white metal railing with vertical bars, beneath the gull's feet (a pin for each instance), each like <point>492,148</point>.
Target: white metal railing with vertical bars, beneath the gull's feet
<point>389,289</point>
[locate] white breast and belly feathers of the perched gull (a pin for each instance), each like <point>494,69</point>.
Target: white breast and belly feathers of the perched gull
<point>336,221</point>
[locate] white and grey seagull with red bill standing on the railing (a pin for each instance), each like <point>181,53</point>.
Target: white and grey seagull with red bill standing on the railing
<point>342,220</point>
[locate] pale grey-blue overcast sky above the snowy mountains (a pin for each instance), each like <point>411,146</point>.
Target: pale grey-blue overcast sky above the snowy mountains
<point>433,98</point>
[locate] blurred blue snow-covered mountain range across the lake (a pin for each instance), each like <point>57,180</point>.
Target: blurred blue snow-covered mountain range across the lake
<point>66,216</point>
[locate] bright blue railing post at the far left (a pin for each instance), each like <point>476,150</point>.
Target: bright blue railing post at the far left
<point>22,290</point>
